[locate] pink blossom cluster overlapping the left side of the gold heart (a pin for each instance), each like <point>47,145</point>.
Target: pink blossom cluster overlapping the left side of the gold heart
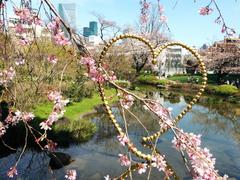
<point>96,74</point>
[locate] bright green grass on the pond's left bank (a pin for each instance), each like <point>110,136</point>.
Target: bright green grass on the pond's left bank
<point>75,109</point>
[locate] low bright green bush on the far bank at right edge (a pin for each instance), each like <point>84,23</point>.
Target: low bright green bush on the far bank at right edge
<point>225,89</point>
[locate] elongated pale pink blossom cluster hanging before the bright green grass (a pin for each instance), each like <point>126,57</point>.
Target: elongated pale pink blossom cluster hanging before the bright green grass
<point>58,109</point>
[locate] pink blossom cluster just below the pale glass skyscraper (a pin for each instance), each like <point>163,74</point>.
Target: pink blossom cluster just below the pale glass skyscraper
<point>58,35</point>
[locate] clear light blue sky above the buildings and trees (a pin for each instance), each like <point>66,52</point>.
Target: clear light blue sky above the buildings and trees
<point>183,18</point>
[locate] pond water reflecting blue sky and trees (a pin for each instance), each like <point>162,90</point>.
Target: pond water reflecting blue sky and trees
<point>216,120</point>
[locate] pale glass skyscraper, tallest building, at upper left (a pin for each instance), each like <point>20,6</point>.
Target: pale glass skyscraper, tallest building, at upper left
<point>68,12</point>
